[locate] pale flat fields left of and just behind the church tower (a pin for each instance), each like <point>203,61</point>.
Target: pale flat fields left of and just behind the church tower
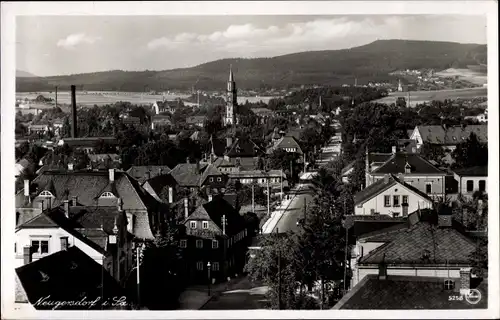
<point>103,98</point>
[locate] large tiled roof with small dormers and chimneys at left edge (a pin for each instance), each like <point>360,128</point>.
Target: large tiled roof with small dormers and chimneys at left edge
<point>92,189</point>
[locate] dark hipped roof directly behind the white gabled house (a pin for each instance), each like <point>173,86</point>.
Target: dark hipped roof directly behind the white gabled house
<point>397,162</point>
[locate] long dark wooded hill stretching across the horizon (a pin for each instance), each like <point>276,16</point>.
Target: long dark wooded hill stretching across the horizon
<point>371,62</point>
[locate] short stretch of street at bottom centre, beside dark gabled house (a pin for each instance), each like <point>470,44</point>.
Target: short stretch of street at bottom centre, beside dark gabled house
<point>243,296</point>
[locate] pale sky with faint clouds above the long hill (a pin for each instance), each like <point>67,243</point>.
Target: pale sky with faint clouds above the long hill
<point>60,45</point>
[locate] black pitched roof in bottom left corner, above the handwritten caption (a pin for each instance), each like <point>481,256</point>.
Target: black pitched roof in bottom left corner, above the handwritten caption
<point>69,275</point>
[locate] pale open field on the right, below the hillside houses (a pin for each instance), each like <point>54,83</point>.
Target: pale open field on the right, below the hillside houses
<point>427,96</point>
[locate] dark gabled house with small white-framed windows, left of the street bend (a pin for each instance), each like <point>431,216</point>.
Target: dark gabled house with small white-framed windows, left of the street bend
<point>215,238</point>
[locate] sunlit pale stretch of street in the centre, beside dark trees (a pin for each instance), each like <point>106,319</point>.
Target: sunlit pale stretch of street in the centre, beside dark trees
<point>295,210</point>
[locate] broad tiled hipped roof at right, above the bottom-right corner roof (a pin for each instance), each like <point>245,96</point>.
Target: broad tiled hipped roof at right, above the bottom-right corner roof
<point>446,246</point>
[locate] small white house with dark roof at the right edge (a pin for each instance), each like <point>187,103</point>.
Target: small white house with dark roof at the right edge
<point>471,180</point>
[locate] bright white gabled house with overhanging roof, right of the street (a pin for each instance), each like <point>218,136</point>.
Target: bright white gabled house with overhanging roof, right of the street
<point>390,196</point>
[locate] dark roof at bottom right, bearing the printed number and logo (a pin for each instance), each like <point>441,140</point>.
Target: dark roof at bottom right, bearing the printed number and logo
<point>407,292</point>
